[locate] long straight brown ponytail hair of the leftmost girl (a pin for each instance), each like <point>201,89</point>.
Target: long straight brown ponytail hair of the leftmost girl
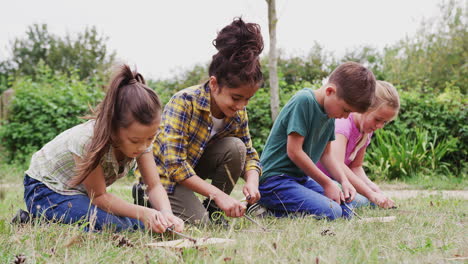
<point>128,99</point>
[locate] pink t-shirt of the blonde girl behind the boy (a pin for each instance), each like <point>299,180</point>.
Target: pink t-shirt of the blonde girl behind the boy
<point>348,128</point>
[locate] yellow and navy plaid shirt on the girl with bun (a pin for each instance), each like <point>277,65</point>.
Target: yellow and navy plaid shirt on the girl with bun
<point>185,131</point>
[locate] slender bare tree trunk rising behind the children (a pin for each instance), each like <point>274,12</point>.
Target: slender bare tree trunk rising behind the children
<point>273,60</point>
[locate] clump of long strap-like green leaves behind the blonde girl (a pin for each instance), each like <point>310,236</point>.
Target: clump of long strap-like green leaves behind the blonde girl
<point>407,154</point>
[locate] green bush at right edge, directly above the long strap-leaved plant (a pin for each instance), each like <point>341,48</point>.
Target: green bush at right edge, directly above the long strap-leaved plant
<point>443,116</point>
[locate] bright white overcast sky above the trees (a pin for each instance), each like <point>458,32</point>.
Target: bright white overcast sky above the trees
<point>165,37</point>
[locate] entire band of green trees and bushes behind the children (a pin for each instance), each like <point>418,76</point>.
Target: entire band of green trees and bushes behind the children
<point>57,79</point>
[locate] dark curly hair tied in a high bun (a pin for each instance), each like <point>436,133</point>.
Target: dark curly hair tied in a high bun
<point>237,61</point>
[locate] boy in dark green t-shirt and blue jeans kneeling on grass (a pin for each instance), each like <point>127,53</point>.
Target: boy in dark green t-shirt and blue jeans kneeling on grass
<point>300,137</point>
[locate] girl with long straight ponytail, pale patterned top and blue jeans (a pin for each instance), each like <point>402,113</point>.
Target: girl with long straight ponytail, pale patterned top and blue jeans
<point>67,179</point>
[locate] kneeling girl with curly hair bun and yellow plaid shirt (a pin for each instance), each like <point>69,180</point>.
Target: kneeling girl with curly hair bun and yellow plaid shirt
<point>205,135</point>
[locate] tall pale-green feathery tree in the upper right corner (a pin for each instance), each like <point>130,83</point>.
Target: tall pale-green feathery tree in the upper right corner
<point>436,56</point>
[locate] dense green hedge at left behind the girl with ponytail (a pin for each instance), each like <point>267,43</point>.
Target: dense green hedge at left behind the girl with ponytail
<point>43,108</point>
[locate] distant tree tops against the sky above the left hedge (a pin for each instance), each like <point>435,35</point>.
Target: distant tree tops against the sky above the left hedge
<point>85,52</point>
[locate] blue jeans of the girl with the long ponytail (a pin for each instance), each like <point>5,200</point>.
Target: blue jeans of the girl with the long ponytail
<point>69,209</point>
